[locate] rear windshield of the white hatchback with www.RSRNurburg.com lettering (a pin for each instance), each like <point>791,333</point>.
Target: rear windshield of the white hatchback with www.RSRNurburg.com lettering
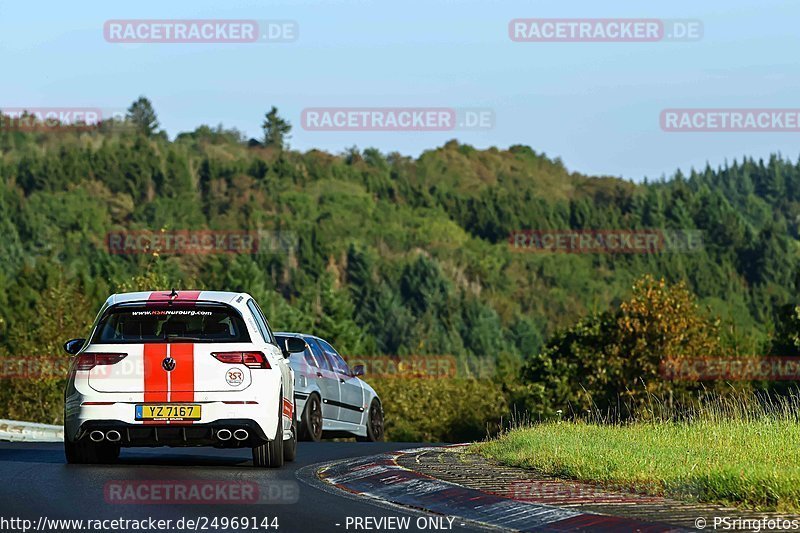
<point>199,323</point>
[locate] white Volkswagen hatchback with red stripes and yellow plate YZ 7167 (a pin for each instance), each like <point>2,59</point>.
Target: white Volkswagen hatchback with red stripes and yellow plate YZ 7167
<point>188,368</point>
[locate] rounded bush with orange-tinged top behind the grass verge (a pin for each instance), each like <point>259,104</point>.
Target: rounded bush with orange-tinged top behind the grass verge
<point>615,360</point>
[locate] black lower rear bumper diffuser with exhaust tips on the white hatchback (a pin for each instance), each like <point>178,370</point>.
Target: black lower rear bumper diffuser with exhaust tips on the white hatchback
<point>155,435</point>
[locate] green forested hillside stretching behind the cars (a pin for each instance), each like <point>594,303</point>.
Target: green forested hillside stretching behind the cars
<point>392,255</point>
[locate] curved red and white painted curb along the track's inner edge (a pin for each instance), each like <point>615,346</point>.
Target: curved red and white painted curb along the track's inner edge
<point>380,477</point>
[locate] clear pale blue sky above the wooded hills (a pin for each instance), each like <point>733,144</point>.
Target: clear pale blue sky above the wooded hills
<point>595,105</point>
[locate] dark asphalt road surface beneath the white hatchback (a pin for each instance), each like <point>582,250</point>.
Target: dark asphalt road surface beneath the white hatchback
<point>36,483</point>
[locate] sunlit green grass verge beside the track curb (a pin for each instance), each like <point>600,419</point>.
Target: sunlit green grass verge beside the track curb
<point>746,461</point>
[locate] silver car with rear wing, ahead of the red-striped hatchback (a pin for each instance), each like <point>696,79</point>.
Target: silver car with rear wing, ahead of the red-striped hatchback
<point>330,399</point>
